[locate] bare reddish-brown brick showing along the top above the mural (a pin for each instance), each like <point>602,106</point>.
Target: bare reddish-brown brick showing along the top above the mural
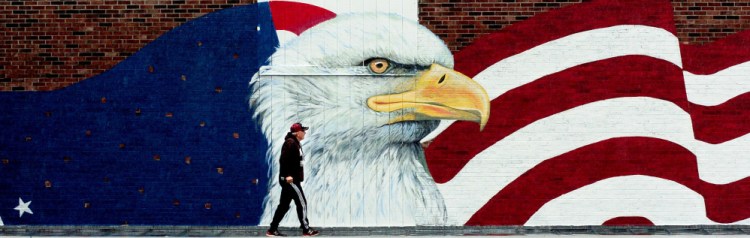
<point>50,44</point>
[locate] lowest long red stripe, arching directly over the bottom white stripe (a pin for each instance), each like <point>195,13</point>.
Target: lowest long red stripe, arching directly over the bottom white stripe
<point>518,201</point>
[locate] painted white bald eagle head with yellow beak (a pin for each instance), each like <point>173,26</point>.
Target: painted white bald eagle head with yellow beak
<point>369,86</point>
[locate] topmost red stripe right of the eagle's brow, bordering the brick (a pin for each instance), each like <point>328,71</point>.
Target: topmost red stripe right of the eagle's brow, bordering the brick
<point>555,24</point>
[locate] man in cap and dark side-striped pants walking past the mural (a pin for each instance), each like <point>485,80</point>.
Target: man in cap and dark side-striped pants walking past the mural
<point>290,175</point>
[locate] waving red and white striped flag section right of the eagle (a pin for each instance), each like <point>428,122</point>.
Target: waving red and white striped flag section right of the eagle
<point>587,97</point>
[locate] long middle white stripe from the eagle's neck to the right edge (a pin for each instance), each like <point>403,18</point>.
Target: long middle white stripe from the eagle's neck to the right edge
<point>546,138</point>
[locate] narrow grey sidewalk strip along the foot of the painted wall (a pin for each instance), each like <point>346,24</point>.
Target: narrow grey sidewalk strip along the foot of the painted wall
<point>248,231</point>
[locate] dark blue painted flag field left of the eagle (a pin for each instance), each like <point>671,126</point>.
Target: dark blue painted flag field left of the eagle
<point>163,138</point>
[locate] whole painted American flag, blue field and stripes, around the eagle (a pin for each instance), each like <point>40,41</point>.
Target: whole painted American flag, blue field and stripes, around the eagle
<point>598,116</point>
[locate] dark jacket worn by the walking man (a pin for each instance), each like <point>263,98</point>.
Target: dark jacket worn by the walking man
<point>290,160</point>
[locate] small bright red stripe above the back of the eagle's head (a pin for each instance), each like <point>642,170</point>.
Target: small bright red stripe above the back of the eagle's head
<point>297,17</point>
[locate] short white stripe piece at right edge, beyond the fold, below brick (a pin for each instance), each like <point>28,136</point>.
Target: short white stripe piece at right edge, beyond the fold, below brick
<point>717,88</point>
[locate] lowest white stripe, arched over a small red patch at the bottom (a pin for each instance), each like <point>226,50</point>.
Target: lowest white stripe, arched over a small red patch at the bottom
<point>663,202</point>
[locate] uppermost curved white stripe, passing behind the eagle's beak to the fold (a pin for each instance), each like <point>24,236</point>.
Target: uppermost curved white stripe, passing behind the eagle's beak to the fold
<point>573,50</point>
